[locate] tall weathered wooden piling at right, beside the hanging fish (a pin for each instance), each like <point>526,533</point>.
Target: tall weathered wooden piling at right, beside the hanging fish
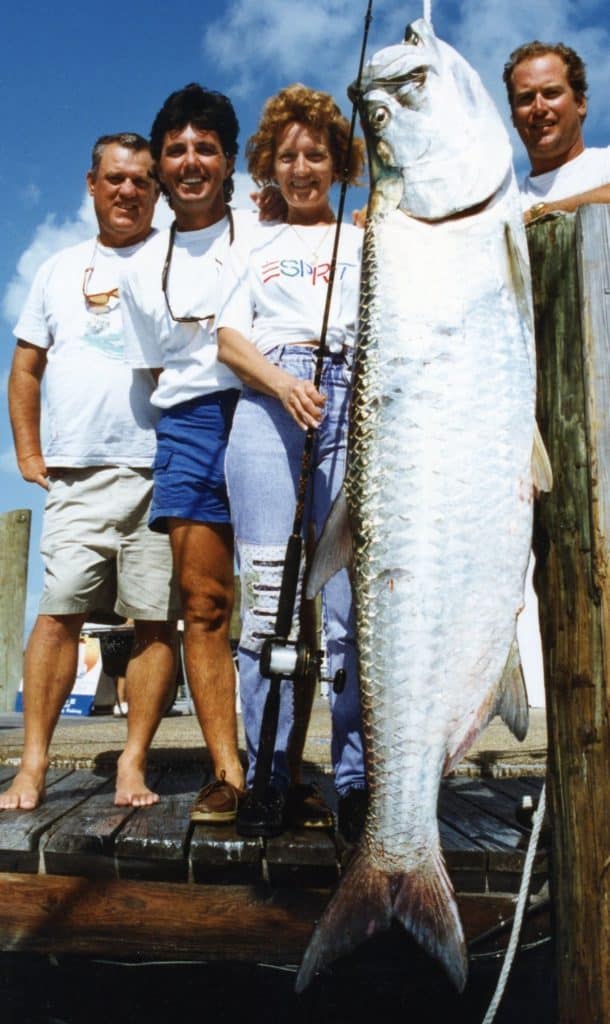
<point>572,278</point>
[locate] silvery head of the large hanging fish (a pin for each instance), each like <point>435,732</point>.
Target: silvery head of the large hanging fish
<point>437,143</point>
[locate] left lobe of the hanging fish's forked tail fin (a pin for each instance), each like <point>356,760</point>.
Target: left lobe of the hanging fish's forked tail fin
<point>360,909</point>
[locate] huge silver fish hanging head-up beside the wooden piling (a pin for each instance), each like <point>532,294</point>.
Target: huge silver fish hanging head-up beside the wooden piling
<point>435,518</point>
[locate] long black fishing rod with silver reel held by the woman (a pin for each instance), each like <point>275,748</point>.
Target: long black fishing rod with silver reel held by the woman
<point>281,658</point>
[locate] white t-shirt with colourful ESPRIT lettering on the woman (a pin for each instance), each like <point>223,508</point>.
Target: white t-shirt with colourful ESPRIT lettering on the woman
<point>274,290</point>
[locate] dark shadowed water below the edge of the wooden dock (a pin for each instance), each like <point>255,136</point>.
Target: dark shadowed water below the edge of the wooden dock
<point>75,991</point>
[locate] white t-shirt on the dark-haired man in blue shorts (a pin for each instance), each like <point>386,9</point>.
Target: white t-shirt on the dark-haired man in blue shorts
<point>188,353</point>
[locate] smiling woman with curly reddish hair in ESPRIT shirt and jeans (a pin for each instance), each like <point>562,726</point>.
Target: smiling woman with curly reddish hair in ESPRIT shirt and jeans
<point>274,291</point>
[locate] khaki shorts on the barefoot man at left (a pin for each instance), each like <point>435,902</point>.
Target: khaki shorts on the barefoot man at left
<point>98,550</point>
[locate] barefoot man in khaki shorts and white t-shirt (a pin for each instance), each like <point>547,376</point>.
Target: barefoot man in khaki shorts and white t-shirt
<point>99,553</point>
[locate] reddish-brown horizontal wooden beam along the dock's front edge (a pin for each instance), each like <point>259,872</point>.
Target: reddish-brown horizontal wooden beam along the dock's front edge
<point>48,914</point>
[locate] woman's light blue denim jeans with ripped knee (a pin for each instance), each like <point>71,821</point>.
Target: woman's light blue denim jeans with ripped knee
<point>264,464</point>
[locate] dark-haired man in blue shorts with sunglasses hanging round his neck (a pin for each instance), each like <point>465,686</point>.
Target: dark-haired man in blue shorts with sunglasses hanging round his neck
<point>170,294</point>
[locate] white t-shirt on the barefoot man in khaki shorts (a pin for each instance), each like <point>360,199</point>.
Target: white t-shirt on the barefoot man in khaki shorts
<point>99,410</point>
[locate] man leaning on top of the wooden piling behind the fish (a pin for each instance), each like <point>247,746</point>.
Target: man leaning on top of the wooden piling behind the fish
<point>547,88</point>
